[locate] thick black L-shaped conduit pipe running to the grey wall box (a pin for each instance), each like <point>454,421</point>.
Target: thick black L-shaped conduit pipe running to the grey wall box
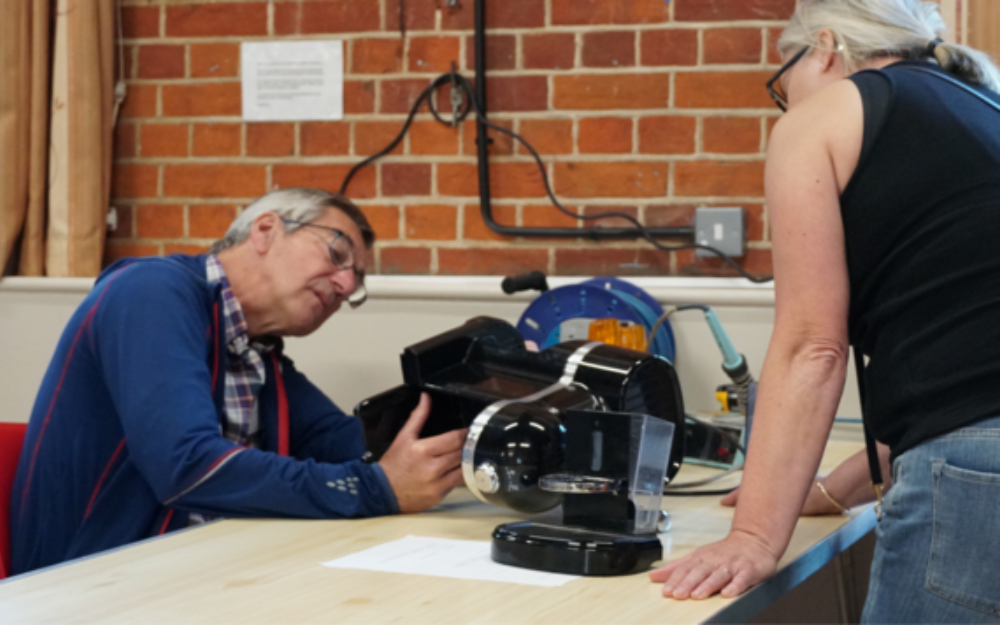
<point>482,150</point>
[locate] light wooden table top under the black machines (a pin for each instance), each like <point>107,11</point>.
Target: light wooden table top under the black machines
<point>268,571</point>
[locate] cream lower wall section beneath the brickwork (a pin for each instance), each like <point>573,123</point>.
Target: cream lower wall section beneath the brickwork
<point>356,354</point>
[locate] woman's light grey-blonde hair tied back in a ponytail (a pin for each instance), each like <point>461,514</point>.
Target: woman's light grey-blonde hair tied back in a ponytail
<point>868,29</point>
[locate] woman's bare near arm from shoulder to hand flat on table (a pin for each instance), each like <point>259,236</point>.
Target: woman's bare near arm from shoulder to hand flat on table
<point>808,164</point>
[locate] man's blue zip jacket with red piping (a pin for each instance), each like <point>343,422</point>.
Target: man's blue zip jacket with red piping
<point>124,439</point>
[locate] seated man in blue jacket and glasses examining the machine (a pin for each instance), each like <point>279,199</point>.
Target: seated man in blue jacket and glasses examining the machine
<point>168,399</point>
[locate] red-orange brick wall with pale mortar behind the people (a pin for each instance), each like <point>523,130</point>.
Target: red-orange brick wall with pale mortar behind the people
<point>644,106</point>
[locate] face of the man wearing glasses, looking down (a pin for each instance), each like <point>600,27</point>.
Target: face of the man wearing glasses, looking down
<point>308,286</point>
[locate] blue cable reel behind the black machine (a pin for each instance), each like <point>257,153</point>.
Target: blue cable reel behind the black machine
<point>598,298</point>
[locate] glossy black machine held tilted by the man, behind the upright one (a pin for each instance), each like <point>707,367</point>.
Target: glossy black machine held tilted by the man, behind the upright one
<point>470,367</point>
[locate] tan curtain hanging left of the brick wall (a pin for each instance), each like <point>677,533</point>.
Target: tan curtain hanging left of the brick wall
<point>56,120</point>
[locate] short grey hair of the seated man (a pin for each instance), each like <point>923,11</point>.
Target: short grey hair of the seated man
<point>297,204</point>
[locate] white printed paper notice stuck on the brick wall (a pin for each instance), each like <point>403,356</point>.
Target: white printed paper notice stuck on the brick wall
<point>292,80</point>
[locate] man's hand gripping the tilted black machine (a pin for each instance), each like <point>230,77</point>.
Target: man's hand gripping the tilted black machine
<point>422,471</point>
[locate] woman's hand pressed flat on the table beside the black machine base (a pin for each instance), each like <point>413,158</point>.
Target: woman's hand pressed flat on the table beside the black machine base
<point>730,567</point>
